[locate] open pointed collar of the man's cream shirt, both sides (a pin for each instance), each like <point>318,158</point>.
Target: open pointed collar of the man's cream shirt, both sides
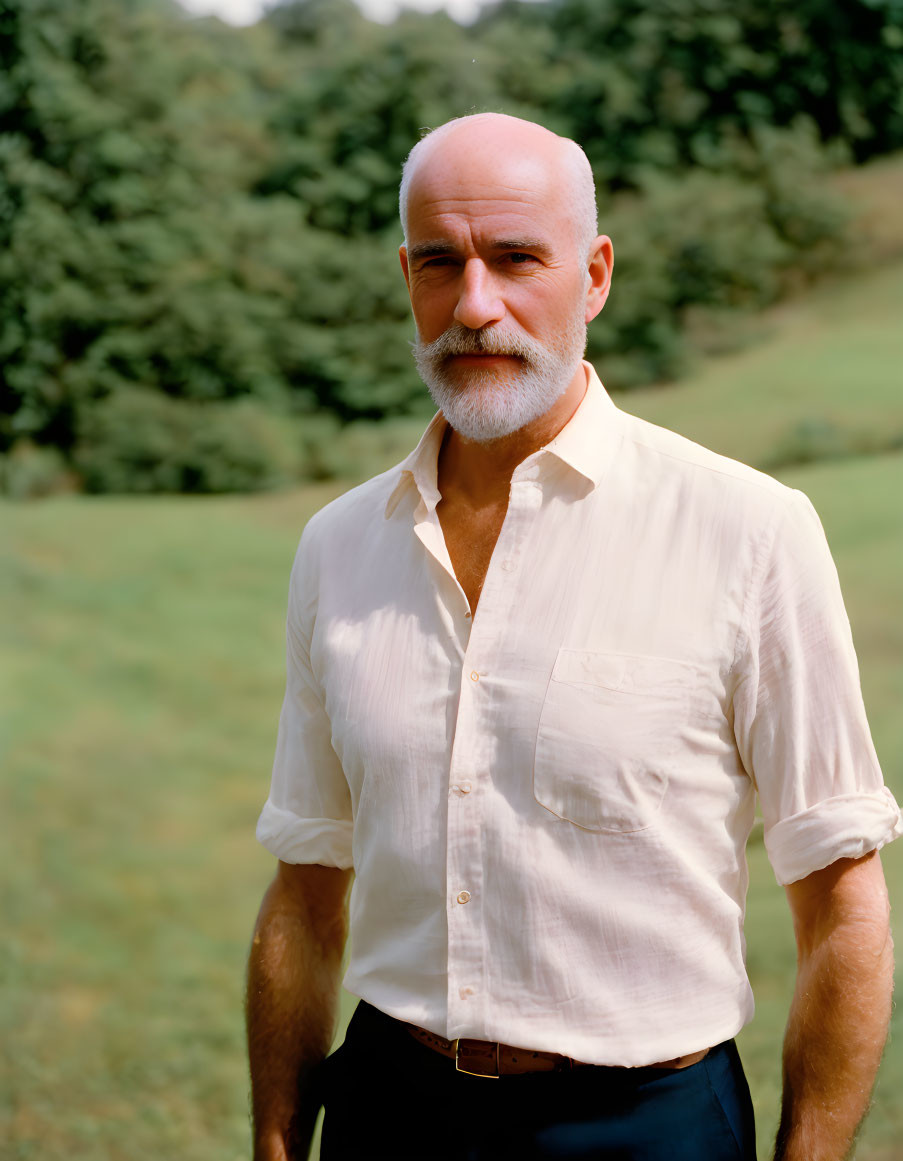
<point>584,444</point>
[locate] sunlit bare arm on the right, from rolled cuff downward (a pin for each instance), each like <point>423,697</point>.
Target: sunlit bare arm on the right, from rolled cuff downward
<point>841,1008</point>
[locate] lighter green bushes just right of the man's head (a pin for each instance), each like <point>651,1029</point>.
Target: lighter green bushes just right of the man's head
<point>720,242</point>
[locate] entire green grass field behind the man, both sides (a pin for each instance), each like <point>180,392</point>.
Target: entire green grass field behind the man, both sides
<point>142,679</point>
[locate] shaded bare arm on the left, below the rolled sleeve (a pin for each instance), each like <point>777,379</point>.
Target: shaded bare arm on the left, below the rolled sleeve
<point>293,987</point>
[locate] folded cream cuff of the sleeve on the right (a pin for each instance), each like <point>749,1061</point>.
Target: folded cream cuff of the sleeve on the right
<point>847,827</point>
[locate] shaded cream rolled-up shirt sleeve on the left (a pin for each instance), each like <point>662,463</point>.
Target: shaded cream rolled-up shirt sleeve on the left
<point>308,814</point>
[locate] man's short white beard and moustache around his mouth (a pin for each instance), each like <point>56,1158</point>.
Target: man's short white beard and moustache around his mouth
<point>485,406</point>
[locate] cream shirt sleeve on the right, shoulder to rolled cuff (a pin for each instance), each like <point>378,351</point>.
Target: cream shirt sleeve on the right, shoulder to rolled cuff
<point>799,718</point>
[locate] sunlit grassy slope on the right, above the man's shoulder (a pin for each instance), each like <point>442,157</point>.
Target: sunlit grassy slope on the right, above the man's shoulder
<point>825,374</point>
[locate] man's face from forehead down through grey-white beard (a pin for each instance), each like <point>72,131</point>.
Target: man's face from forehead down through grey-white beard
<point>500,290</point>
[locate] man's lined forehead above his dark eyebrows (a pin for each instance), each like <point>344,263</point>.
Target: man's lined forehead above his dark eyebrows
<point>457,192</point>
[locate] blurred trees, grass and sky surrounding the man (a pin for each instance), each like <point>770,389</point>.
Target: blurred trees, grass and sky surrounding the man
<point>205,337</point>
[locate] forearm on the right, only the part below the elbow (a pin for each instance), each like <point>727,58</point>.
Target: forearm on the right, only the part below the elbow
<point>835,1039</point>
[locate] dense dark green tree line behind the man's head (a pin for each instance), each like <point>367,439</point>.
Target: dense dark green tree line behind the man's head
<point>199,225</point>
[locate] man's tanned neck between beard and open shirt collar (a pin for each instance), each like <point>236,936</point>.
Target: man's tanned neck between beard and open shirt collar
<point>480,474</point>
